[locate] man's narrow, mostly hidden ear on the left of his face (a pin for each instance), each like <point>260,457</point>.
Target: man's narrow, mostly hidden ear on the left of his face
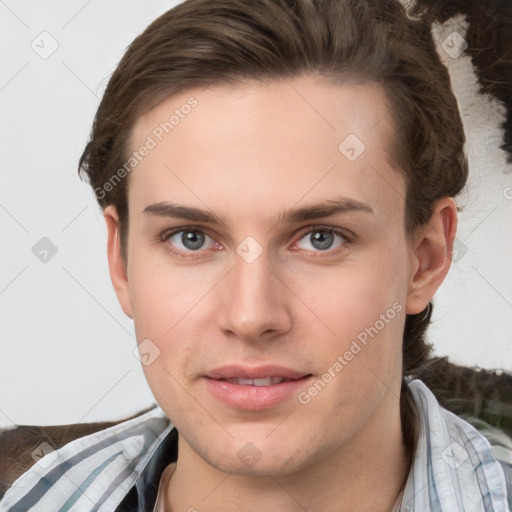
<point>117,266</point>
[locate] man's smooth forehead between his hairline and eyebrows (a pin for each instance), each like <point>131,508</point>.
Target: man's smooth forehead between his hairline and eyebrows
<point>248,147</point>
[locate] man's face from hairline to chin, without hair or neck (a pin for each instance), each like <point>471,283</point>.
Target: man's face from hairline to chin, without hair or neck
<point>268,270</point>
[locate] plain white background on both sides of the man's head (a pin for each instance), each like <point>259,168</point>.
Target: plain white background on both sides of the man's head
<point>66,346</point>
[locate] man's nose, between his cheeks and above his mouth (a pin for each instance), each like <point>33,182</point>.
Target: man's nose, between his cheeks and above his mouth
<point>256,305</point>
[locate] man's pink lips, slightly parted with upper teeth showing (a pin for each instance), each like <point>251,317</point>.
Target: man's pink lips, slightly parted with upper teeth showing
<point>257,388</point>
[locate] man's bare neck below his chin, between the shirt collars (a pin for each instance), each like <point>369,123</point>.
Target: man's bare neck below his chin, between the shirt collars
<point>367,474</point>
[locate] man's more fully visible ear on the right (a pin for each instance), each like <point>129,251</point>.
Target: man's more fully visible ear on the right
<point>431,255</point>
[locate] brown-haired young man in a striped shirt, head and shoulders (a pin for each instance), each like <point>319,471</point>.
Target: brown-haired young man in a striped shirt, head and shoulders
<point>277,180</point>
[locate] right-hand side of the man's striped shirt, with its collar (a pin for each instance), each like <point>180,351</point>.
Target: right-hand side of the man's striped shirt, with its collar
<point>454,462</point>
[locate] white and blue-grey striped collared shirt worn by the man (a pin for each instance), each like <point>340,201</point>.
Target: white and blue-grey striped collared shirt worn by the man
<point>119,469</point>
